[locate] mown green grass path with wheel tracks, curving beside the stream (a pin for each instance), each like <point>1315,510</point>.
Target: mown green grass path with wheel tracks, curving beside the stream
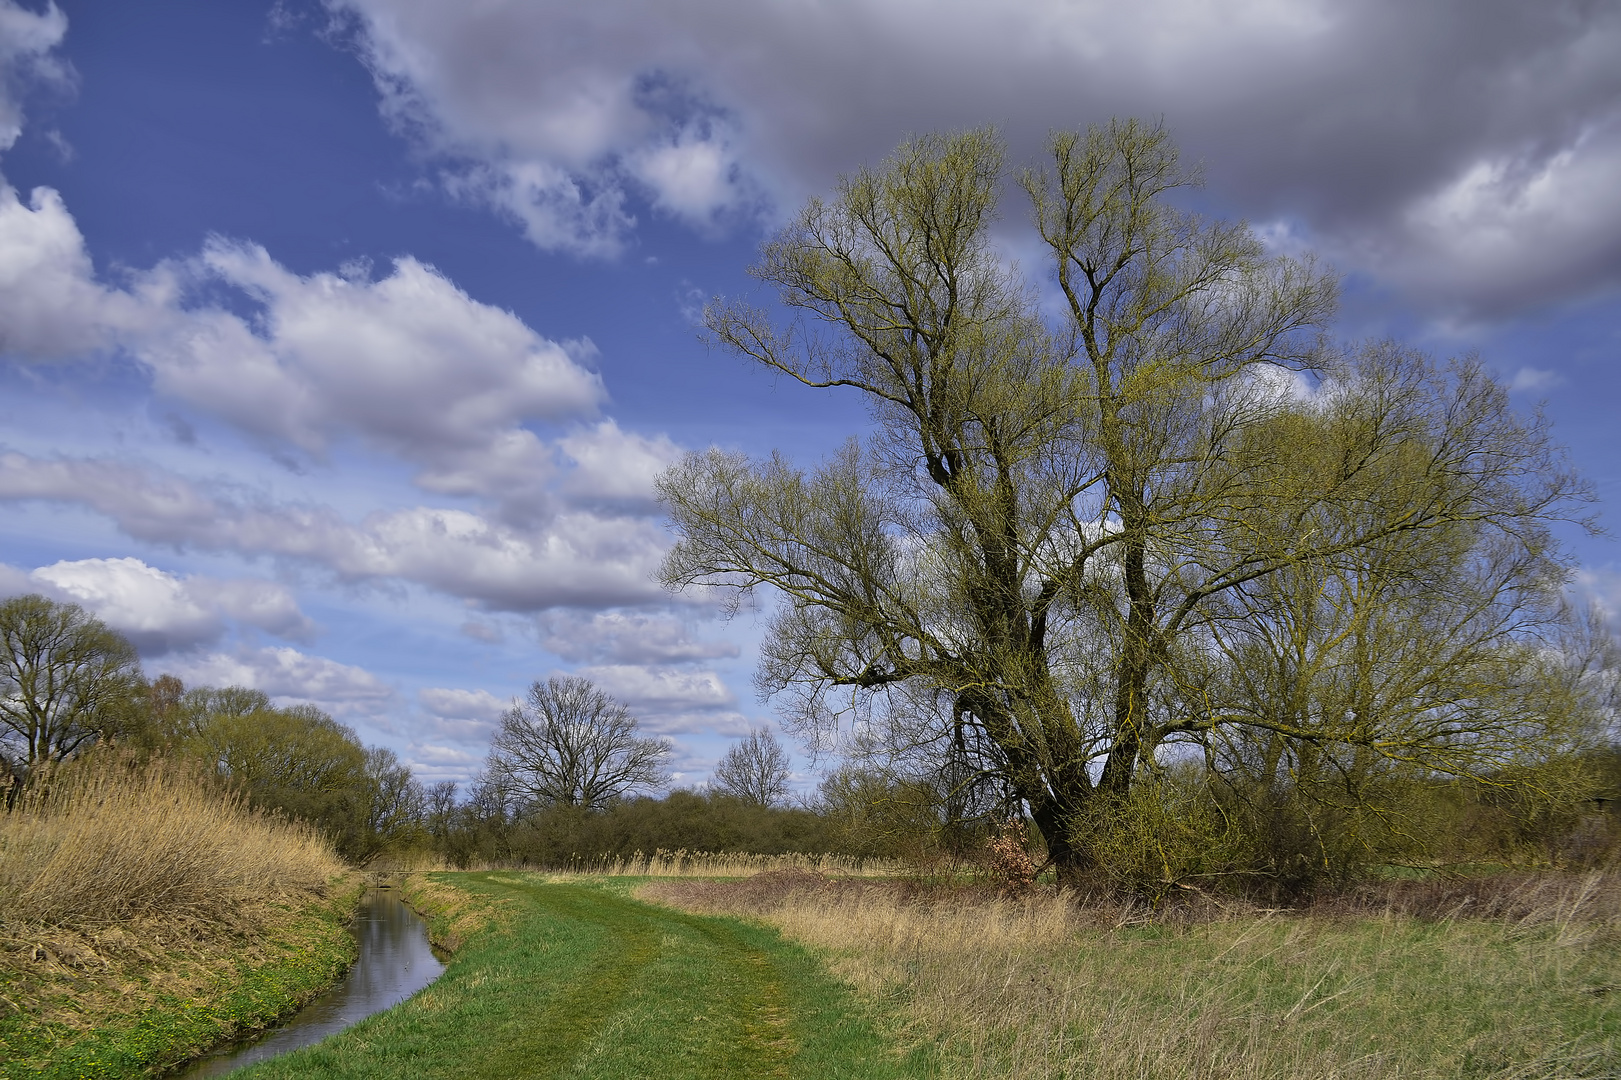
<point>586,984</point>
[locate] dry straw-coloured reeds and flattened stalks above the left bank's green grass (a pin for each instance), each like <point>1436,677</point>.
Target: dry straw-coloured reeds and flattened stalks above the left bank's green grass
<point>122,883</point>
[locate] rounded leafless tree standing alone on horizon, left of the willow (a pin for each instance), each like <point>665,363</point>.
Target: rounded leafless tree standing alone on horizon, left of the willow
<point>573,745</point>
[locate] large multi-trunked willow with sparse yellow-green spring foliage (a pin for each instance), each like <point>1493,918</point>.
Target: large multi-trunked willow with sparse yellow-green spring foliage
<point>1067,534</point>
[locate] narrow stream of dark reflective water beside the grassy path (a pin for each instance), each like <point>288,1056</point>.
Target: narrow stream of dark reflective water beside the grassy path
<point>395,964</point>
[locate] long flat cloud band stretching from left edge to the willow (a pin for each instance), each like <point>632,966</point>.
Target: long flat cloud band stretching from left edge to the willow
<point>576,559</point>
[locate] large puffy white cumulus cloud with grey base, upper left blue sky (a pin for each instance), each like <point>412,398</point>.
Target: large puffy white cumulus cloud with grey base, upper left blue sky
<point>411,361</point>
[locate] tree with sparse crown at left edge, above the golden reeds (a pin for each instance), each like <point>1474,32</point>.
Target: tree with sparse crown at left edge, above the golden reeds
<point>66,680</point>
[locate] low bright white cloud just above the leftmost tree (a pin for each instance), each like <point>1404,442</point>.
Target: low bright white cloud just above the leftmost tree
<point>160,612</point>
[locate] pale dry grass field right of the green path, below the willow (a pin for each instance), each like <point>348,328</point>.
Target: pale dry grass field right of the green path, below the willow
<point>1398,985</point>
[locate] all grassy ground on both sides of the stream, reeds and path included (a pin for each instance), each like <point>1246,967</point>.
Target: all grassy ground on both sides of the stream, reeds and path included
<point>147,914</point>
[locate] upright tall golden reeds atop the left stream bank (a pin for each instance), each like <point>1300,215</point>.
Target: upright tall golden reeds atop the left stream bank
<point>106,839</point>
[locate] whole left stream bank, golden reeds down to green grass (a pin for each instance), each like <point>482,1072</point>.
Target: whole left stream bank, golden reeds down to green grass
<point>147,917</point>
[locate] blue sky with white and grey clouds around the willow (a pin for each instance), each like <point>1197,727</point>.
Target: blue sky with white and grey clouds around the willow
<point>341,341</point>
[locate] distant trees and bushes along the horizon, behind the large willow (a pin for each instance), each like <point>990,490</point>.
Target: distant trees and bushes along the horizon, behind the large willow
<point>571,781</point>
